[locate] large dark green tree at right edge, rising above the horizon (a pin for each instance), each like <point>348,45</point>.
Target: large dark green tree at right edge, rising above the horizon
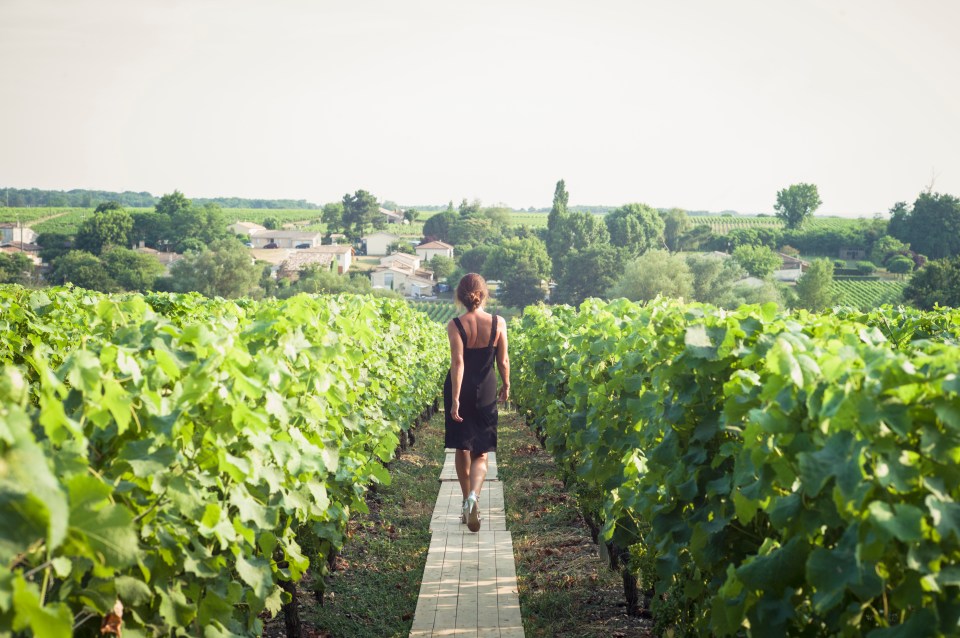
<point>931,227</point>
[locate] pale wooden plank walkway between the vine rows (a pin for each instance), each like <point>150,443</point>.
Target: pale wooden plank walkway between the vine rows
<point>469,584</point>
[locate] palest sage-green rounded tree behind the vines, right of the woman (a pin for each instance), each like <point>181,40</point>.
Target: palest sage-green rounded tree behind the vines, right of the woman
<point>656,272</point>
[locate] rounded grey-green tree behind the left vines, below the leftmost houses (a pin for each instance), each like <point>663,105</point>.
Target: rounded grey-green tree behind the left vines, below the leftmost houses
<point>222,270</point>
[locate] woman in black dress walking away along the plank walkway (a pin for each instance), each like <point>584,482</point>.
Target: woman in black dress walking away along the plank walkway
<point>477,340</point>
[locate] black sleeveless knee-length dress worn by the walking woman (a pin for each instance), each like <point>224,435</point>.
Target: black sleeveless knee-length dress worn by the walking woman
<point>478,398</point>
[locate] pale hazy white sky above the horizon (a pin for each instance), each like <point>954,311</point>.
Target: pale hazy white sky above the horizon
<point>700,104</point>
